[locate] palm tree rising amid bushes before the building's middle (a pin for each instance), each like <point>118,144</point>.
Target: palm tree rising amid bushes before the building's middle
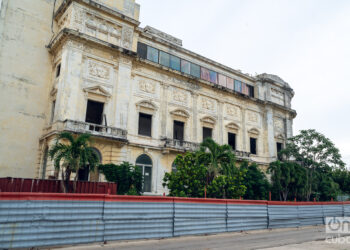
<point>219,159</point>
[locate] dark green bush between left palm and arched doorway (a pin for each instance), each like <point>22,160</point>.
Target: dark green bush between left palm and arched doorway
<point>127,176</point>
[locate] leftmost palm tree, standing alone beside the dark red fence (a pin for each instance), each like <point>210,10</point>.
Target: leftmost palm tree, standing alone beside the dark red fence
<point>71,156</point>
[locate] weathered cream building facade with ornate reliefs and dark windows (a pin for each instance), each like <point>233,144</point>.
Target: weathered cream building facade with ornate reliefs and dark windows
<point>87,67</point>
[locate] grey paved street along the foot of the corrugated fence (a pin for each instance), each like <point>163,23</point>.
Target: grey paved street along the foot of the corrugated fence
<point>302,238</point>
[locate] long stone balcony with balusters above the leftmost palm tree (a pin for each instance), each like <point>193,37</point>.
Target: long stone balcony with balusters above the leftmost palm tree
<point>89,128</point>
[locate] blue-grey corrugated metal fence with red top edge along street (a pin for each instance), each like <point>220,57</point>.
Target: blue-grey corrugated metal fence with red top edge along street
<point>42,219</point>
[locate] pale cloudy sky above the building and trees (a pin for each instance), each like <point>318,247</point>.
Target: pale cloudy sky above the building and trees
<point>305,42</point>
